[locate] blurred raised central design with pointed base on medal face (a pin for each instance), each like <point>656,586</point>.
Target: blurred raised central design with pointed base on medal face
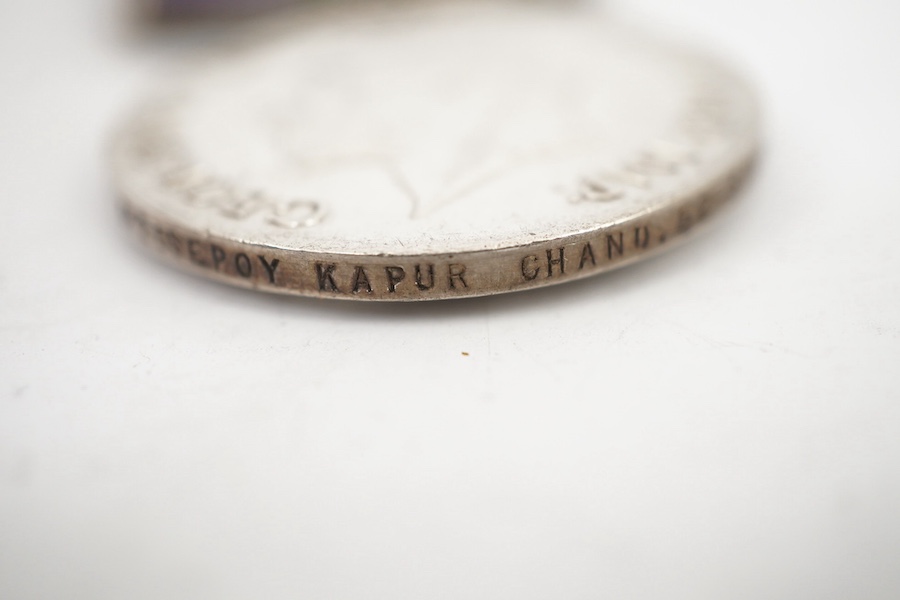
<point>438,126</point>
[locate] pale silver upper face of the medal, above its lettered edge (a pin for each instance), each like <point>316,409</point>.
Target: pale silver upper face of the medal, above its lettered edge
<point>457,124</point>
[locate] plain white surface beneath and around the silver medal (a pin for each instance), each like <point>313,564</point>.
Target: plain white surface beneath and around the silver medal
<point>720,422</point>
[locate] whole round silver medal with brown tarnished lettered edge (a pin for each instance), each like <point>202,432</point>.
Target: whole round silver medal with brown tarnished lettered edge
<point>432,151</point>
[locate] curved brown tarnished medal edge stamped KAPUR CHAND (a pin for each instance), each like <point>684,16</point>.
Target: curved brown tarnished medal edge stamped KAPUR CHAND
<point>433,277</point>
